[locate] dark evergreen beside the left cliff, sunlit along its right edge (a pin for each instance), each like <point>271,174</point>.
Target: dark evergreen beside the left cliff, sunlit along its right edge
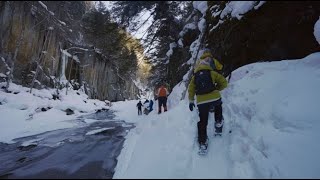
<point>107,36</point>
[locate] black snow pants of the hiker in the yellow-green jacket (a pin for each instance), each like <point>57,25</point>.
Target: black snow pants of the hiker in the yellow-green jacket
<point>204,115</point>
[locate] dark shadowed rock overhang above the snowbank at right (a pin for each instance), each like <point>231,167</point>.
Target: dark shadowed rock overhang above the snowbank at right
<point>276,30</point>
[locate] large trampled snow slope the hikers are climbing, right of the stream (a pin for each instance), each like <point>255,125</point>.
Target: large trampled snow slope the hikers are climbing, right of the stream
<point>271,110</point>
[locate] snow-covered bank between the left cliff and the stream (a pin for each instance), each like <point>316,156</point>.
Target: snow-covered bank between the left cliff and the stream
<point>25,114</point>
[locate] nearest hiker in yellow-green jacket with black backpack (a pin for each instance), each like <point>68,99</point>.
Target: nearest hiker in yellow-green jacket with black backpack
<point>206,84</point>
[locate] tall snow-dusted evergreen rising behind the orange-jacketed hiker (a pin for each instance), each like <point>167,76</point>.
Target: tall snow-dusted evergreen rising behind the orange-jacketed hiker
<point>168,17</point>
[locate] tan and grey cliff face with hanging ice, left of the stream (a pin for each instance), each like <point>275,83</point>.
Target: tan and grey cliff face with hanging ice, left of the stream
<point>45,39</point>
